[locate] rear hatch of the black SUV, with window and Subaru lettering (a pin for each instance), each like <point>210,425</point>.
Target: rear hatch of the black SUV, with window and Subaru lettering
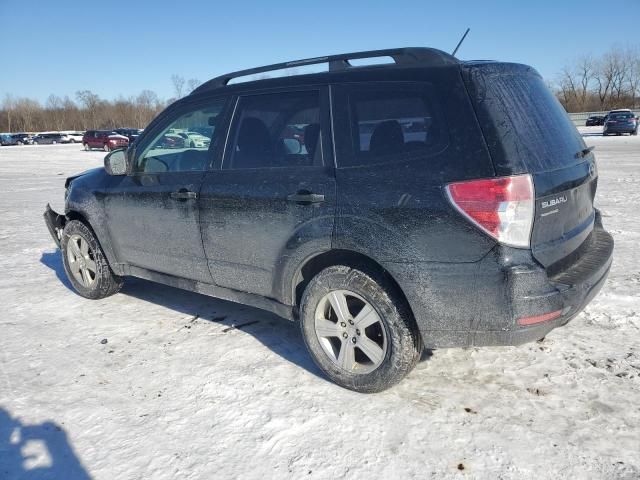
<point>528,131</point>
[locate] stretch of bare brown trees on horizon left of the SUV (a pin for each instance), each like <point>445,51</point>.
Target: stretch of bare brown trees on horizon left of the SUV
<point>87,111</point>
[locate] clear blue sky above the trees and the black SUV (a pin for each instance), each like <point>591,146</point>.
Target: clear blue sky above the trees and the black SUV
<point>114,48</point>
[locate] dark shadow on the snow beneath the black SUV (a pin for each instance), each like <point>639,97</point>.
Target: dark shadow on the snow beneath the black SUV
<point>279,335</point>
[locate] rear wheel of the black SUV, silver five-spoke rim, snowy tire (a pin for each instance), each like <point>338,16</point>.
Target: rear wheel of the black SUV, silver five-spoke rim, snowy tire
<point>358,329</point>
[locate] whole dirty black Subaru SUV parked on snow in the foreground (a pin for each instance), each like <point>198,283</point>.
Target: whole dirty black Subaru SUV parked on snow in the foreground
<point>422,203</point>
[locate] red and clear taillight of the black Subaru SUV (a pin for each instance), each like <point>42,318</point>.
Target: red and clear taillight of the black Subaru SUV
<point>503,207</point>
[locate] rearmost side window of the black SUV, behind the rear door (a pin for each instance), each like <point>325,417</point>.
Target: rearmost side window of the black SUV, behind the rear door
<point>392,123</point>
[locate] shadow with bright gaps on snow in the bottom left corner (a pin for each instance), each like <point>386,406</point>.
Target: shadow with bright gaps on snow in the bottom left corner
<point>41,451</point>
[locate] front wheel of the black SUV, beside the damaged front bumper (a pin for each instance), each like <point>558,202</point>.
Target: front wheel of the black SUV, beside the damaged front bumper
<point>85,264</point>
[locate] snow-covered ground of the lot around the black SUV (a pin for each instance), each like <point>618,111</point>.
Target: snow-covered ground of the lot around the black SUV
<point>156,383</point>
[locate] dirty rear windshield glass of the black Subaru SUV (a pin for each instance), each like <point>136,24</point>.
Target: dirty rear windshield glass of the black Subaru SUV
<point>526,128</point>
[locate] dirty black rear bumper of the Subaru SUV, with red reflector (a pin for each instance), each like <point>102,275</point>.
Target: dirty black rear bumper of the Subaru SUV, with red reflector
<point>479,304</point>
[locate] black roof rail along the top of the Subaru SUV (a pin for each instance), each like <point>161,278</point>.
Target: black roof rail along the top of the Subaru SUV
<point>401,56</point>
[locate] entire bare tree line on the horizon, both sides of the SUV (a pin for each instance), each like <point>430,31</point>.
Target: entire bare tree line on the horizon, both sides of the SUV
<point>588,83</point>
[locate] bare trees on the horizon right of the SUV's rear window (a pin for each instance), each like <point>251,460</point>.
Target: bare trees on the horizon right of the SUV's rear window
<point>598,83</point>
